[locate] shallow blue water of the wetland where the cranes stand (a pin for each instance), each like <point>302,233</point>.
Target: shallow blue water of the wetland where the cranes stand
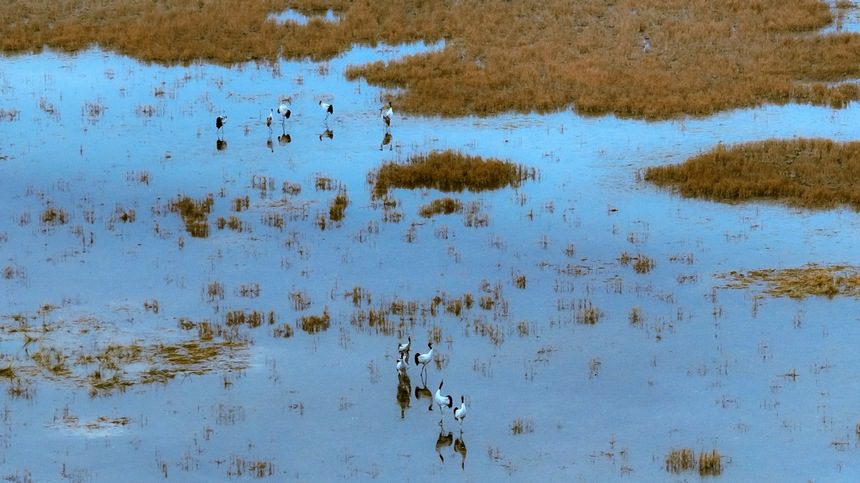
<point>770,383</point>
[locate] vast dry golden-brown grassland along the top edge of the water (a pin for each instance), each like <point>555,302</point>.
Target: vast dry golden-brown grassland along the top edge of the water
<point>705,56</point>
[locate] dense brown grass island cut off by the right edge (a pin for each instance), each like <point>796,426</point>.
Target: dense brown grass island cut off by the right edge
<point>811,173</point>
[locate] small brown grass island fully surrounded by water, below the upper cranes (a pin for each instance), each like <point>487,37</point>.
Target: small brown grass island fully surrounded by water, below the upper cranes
<point>449,171</point>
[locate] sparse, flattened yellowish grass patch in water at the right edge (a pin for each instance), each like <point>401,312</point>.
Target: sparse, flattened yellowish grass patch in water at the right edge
<point>809,280</point>
